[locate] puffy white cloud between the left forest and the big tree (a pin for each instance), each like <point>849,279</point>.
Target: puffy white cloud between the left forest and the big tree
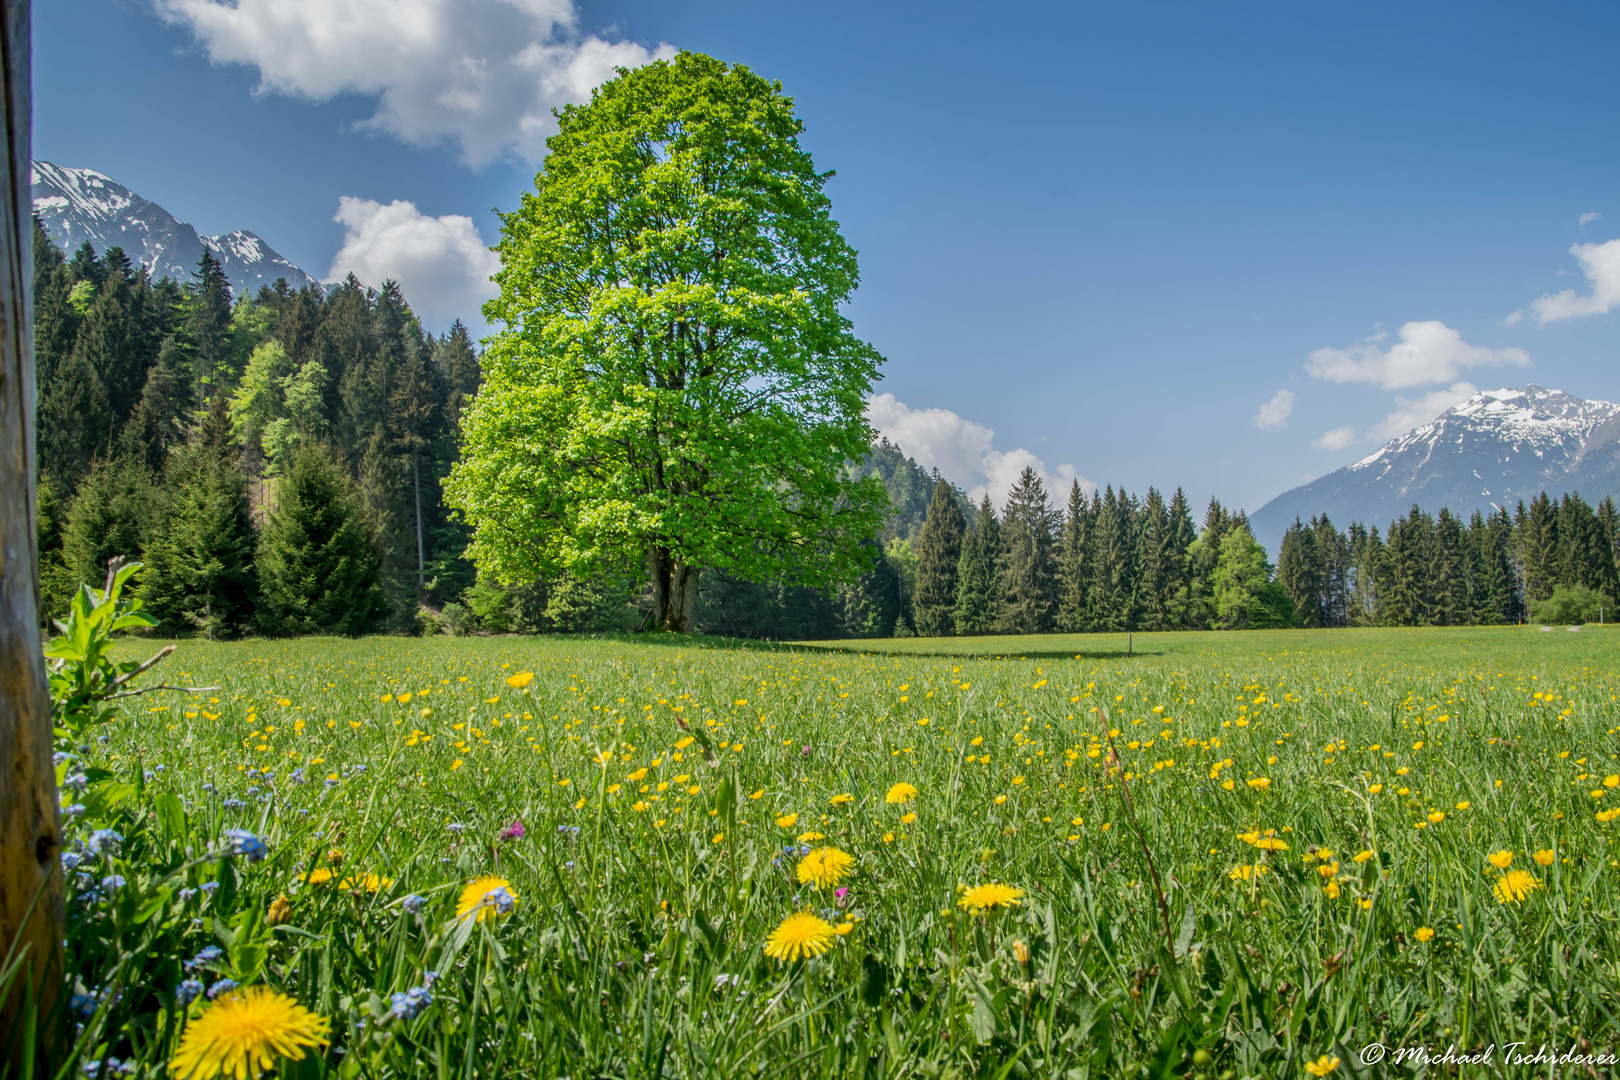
<point>441,263</point>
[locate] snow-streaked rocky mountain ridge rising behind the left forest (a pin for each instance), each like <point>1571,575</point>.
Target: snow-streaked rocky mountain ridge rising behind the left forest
<point>79,205</point>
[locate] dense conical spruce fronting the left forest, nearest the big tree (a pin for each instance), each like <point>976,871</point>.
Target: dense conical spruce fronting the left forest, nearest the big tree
<point>318,563</point>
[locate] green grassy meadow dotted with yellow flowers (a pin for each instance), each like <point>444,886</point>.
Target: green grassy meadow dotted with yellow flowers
<point>1227,854</point>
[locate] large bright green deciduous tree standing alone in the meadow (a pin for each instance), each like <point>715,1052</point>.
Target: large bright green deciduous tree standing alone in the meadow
<point>676,381</point>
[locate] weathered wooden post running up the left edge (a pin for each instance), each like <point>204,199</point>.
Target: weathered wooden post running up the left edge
<point>32,922</point>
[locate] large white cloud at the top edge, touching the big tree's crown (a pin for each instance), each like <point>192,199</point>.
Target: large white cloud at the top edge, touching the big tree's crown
<point>484,74</point>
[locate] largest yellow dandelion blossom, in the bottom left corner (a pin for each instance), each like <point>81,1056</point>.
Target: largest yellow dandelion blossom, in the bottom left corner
<point>244,1034</point>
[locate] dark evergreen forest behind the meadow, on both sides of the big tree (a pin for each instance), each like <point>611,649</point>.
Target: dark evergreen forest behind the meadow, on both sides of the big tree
<point>278,461</point>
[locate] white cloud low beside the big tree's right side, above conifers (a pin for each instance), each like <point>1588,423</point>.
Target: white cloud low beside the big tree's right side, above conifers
<point>963,451</point>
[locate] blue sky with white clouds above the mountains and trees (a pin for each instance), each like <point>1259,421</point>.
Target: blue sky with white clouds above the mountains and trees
<point>1135,244</point>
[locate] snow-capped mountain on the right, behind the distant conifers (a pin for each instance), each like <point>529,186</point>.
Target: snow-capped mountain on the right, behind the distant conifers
<point>1491,451</point>
